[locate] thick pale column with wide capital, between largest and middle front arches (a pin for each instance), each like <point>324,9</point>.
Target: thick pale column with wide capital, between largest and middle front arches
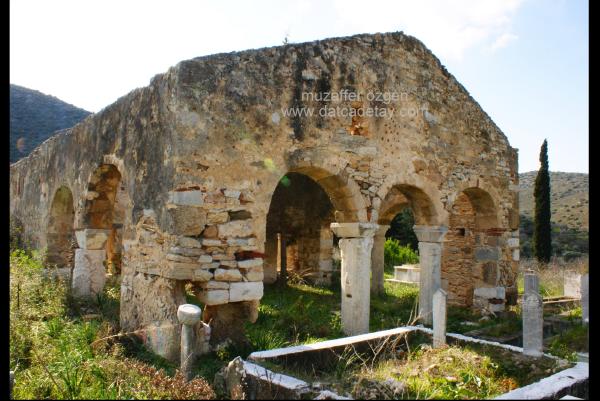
<point>356,242</point>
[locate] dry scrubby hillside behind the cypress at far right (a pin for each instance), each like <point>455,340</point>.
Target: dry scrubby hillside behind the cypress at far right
<point>569,198</point>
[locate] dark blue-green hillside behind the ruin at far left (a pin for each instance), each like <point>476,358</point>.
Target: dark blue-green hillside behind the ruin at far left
<point>34,117</point>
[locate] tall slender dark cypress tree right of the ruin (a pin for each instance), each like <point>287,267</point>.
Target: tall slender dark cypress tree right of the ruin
<point>542,234</point>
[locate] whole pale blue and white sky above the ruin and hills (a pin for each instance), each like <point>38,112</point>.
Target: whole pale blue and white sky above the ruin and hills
<point>524,61</point>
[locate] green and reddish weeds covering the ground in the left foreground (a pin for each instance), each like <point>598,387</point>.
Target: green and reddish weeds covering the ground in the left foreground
<point>59,347</point>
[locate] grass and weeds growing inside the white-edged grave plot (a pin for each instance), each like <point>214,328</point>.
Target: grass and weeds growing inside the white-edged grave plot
<point>407,367</point>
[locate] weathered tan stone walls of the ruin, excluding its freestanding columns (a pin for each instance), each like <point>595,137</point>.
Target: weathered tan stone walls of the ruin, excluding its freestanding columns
<point>201,150</point>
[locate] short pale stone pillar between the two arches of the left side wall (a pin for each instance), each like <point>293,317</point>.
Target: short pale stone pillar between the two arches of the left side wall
<point>89,273</point>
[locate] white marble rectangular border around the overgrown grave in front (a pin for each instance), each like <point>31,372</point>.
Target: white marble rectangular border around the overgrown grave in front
<point>569,380</point>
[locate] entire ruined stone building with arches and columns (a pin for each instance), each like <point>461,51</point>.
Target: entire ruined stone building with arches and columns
<point>192,178</point>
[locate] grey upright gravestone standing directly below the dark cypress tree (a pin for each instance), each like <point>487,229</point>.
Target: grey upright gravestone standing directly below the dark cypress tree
<point>533,317</point>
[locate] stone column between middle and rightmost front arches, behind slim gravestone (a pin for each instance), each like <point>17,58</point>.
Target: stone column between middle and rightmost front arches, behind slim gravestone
<point>430,260</point>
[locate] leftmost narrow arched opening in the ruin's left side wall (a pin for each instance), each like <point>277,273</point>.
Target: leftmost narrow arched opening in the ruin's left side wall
<point>60,232</point>
